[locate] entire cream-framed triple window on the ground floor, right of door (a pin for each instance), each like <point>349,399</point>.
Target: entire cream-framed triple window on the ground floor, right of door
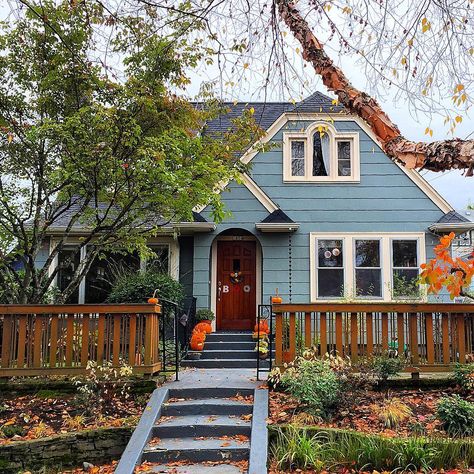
<point>366,265</point>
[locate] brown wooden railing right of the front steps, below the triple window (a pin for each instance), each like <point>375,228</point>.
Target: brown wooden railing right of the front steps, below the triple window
<point>431,336</point>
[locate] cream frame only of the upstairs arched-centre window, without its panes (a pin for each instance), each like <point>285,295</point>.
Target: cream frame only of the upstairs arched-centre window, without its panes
<point>334,137</point>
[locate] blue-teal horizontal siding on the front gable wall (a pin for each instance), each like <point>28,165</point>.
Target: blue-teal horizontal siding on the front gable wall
<point>385,200</point>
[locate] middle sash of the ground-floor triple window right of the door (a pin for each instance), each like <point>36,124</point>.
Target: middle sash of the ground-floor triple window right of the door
<point>368,269</point>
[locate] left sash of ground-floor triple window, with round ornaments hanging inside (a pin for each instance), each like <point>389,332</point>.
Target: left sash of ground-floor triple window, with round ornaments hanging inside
<point>330,262</point>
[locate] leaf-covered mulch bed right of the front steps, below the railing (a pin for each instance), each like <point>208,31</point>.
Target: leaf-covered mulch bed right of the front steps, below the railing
<point>358,414</point>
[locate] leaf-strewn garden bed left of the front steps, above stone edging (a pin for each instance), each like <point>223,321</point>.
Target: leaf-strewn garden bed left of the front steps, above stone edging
<point>38,416</point>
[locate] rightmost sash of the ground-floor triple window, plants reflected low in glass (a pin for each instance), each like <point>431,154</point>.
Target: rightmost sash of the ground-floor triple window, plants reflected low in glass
<point>405,268</point>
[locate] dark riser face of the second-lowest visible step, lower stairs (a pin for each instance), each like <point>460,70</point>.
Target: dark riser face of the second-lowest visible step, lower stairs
<point>194,431</point>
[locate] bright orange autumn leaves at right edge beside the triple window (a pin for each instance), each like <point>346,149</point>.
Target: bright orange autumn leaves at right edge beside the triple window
<point>454,273</point>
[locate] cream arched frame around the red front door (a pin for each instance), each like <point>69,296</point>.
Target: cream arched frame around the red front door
<point>258,271</point>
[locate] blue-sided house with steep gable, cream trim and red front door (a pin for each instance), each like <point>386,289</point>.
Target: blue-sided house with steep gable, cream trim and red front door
<point>323,215</point>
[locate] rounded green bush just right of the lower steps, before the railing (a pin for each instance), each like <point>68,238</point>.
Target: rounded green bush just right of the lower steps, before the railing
<point>314,384</point>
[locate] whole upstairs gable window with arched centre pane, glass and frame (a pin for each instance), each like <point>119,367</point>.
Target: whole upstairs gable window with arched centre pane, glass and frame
<point>321,154</point>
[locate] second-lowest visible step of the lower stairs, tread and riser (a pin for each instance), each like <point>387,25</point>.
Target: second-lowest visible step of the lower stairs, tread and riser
<point>201,425</point>
